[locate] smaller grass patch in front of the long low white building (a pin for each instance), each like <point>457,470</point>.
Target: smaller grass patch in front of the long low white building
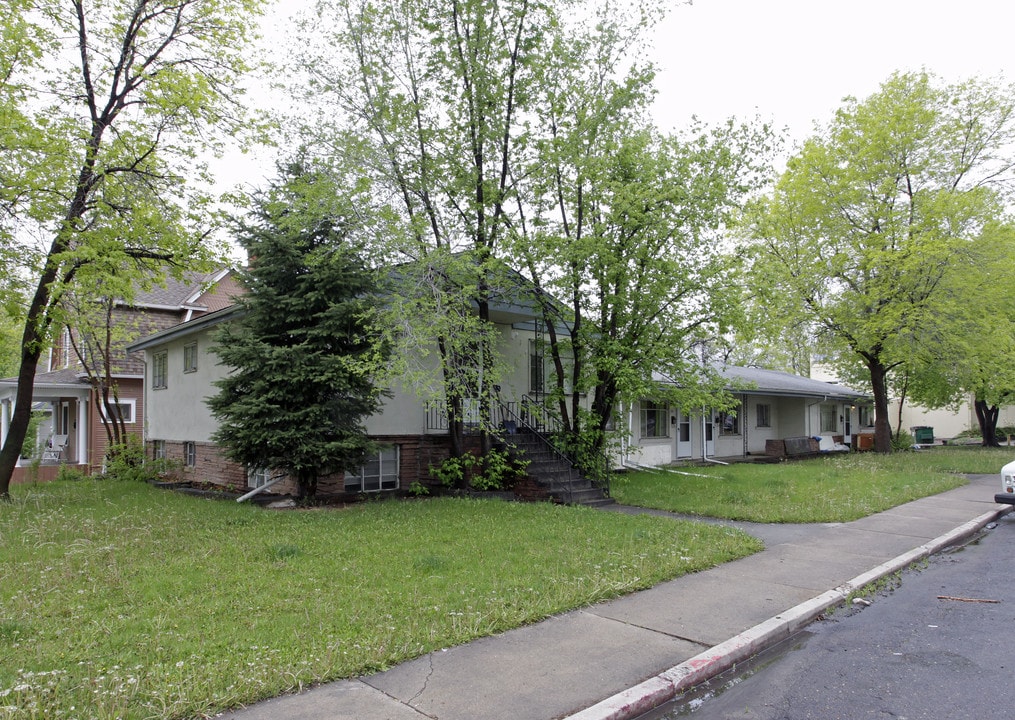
<point>839,488</point>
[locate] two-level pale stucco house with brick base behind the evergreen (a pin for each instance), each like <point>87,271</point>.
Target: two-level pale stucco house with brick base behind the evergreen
<point>181,370</point>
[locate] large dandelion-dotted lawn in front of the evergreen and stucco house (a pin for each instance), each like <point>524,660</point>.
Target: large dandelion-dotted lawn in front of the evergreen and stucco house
<point>121,601</point>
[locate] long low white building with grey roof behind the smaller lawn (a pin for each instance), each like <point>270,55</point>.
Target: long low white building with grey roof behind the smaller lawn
<point>773,407</point>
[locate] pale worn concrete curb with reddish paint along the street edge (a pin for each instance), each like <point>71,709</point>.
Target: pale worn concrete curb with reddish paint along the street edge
<point>649,695</point>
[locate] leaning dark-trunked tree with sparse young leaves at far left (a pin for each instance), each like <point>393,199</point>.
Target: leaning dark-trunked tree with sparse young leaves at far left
<point>113,103</point>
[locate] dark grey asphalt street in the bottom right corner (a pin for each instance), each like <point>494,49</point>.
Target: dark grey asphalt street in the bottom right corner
<point>932,644</point>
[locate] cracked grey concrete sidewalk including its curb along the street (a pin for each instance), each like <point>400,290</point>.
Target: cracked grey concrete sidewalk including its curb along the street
<point>620,660</point>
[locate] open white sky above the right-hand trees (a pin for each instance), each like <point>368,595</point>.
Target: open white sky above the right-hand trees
<point>793,61</point>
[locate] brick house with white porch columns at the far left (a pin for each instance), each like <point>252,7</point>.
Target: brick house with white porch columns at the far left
<point>73,431</point>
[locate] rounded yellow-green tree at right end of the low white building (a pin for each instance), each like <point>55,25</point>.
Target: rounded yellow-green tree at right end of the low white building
<point>875,213</point>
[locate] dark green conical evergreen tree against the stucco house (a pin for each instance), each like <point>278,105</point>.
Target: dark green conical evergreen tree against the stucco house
<point>302,348</point>
